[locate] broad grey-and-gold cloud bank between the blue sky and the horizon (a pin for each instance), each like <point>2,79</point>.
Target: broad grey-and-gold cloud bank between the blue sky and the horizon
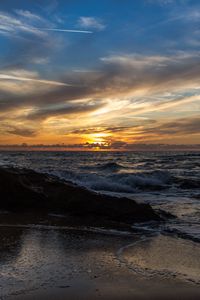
<point>117,90</point>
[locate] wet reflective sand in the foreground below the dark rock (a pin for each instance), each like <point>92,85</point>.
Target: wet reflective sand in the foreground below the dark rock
<point>48,262</point>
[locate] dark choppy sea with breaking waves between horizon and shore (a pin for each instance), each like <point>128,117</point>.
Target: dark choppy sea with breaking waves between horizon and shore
<point>168,181</point>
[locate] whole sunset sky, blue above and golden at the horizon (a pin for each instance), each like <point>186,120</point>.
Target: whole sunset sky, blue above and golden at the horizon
<point>99,74</point>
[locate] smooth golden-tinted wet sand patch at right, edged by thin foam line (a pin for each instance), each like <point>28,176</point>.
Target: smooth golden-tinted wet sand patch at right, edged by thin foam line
<point>163,256</point>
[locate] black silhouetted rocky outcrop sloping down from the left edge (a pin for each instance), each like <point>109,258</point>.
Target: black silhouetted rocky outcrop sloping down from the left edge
<point>26,190</point>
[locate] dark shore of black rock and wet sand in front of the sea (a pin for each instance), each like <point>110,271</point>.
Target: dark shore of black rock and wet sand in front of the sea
<point>62,241</point>
